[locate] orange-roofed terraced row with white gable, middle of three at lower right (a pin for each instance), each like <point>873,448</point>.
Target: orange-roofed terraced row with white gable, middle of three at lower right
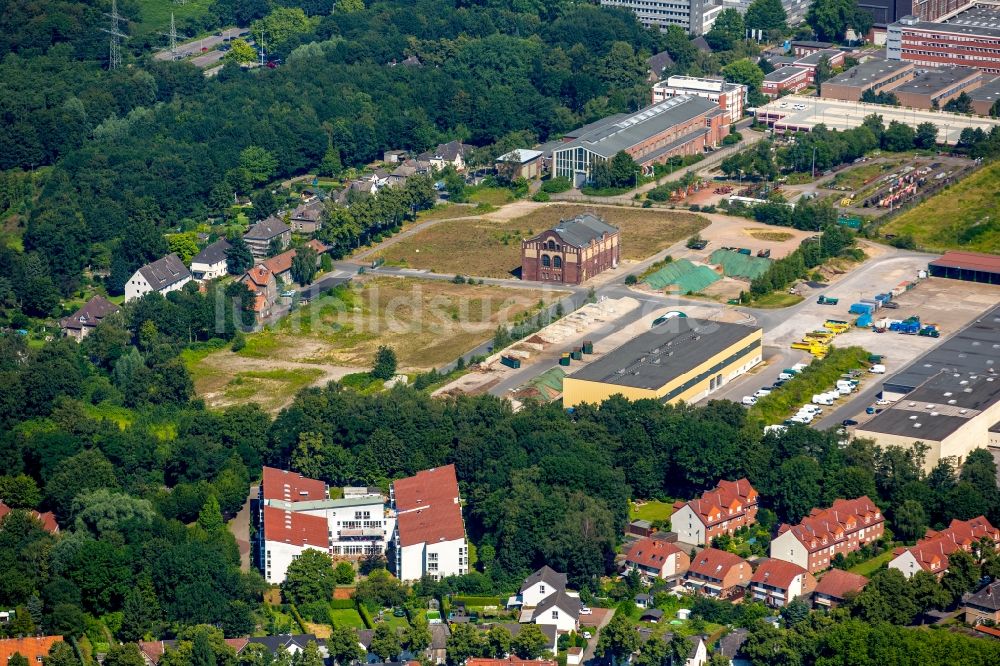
<point>843,528</point>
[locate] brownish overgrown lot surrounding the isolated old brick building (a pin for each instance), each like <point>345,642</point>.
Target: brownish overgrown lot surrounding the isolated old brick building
<point>490,246</point>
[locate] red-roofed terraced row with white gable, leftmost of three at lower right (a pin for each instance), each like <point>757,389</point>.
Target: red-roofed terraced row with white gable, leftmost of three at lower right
<point>722,510</point>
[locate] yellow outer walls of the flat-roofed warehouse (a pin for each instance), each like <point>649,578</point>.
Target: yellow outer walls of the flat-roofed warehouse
<point>577,391</point>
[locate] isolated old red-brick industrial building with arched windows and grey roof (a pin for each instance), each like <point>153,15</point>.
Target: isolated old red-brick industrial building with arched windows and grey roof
<point>572,252</point>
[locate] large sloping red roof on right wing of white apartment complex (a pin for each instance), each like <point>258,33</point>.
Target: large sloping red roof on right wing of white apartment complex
<point>428,507</point>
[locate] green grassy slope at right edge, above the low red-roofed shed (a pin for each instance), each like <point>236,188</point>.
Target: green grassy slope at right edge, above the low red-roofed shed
<point>961,217</point>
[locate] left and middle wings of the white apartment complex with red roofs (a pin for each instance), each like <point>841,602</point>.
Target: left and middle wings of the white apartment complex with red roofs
<point>295,513</point>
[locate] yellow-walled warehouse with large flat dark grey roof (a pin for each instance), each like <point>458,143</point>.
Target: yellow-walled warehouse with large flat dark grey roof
<point>679,360</point>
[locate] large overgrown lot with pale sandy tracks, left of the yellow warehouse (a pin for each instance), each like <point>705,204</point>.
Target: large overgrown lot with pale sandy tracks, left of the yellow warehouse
<point>427,322</point>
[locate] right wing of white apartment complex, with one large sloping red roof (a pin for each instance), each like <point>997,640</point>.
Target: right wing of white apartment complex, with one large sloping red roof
<point>429,537</point>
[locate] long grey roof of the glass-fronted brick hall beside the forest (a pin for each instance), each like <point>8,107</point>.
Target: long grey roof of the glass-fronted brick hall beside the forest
<point>619,133</point>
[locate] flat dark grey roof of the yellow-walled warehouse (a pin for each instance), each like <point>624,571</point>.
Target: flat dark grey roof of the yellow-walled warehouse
<point>652,359</point>
